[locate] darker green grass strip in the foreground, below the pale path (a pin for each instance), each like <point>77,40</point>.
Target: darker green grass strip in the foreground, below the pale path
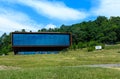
<point>61,73</point>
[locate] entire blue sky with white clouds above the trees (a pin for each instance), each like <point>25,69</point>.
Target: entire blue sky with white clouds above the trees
<point>36,14</point>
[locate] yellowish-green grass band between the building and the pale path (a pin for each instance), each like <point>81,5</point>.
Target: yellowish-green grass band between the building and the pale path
<point>70,58</point>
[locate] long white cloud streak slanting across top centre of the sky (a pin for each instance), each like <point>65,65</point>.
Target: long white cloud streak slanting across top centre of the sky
<point>54,10</point>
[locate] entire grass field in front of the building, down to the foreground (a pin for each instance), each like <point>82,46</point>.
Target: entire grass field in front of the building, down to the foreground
<point>56,66</point>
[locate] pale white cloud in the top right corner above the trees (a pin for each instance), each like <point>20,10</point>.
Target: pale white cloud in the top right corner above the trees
<point>108,8</point>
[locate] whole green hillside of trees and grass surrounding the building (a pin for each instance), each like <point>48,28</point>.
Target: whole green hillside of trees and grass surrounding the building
<point>73,63</point>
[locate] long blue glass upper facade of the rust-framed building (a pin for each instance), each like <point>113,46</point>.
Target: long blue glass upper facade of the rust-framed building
<point>41,39</point>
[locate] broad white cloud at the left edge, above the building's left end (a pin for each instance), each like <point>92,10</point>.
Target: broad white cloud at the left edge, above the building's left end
<point>12,20</point>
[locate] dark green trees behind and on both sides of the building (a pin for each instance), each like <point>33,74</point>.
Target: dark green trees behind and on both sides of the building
<point>84,34</point>
